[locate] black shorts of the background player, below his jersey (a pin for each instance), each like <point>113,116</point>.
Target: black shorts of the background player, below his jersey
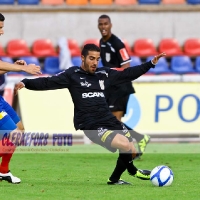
<point>119,104</point>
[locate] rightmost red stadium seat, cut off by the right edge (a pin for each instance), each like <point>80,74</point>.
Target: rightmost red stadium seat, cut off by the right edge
<point>192,47</point>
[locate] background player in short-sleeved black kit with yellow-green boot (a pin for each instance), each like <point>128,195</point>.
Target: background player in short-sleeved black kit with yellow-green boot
<point>114,54</point>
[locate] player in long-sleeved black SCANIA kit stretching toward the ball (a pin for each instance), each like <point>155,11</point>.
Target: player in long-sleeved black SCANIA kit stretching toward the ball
<point>86,85</point>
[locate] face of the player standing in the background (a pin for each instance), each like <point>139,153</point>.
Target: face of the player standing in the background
<point>104,26</point>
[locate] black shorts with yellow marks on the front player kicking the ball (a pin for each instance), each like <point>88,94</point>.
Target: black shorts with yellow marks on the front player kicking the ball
<point>102,133</point>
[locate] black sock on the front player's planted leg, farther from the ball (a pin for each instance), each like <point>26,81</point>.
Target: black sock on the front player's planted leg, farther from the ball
<point>119,169</point>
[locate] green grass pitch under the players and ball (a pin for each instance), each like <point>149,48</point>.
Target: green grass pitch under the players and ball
<point>79,174</point>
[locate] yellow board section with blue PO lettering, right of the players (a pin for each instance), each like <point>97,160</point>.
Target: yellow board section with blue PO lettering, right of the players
<point>164,108</point>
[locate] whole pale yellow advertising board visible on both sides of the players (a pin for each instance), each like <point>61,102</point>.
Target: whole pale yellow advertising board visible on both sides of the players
<point>155,108</point>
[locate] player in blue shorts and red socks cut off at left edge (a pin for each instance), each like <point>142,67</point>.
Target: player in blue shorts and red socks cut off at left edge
<point>9,120</point>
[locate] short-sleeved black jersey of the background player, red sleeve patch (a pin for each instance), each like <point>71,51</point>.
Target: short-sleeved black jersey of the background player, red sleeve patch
<point>114,54</point>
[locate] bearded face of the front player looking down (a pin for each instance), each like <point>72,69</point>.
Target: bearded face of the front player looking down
<point>90,62</point>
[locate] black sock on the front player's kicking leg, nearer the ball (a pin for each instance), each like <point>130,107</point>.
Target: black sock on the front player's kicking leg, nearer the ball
<point>128,161</point>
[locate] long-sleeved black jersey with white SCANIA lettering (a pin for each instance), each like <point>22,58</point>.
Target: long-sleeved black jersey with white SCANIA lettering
<point>87,90</point>
